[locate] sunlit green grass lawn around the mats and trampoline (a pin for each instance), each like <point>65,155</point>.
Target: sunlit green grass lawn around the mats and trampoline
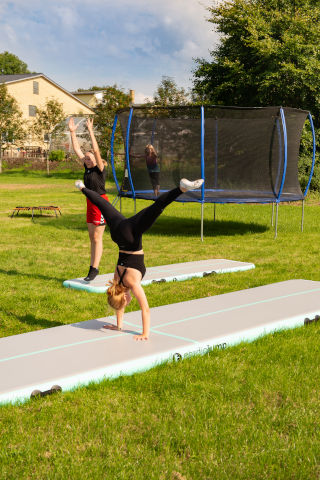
<point>248,412</point>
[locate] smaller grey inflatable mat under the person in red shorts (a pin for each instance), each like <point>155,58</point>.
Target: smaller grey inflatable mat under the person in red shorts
<point>166,273</point>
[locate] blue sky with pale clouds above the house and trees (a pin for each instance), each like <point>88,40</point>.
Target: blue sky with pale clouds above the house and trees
<point>131,43</point>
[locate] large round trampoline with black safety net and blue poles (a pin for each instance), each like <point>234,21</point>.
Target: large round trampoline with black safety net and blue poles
<point>244,154</point>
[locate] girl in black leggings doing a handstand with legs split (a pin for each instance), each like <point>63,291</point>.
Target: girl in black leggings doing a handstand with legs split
<point>127,234</point>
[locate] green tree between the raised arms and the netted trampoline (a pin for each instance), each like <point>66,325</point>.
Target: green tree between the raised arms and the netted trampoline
<point>113,99</point>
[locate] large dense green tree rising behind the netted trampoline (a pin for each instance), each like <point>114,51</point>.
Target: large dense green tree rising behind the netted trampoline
<point>268,55</point>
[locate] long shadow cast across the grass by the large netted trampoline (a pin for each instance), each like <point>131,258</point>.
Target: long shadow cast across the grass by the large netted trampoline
<point>167,225</point>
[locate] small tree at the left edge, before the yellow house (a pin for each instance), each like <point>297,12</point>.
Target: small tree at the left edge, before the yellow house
<point>11,126</point>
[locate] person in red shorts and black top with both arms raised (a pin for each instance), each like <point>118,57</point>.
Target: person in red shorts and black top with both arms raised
<point>94,179</point>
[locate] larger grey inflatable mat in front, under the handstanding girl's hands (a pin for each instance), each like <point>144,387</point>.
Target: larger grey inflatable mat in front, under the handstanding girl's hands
<point>79,353</point>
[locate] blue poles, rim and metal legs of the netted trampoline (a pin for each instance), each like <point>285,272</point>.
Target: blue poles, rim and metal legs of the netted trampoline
<point>202,200</point>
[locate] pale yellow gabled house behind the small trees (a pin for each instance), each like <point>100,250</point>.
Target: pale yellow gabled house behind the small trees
<point>32,90</point>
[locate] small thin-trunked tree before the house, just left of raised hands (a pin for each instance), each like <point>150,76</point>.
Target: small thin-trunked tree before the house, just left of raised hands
<point>49,119</point>
